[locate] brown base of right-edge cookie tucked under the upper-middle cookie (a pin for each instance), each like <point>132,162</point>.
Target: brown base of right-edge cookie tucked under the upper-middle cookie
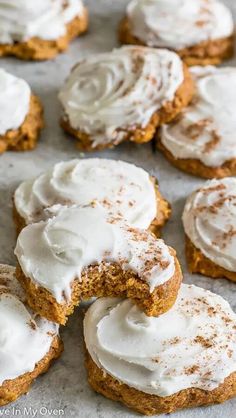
<point>197,168</point>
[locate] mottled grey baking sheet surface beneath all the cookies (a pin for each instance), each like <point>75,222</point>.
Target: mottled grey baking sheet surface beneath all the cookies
<point>64,390</point>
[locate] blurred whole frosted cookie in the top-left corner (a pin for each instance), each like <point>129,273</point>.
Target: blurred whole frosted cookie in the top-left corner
<point>39,30</point>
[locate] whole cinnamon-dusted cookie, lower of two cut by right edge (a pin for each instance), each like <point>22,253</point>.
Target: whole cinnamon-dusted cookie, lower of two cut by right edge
<point>209,224</point>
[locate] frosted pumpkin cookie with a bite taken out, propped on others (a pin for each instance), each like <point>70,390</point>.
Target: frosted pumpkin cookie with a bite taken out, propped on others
<point>84,252</point>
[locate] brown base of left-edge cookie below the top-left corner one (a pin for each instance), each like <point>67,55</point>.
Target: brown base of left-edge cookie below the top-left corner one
<point>25,137</point>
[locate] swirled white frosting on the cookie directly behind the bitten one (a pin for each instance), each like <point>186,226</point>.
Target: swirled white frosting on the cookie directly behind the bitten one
<point>120,187</point>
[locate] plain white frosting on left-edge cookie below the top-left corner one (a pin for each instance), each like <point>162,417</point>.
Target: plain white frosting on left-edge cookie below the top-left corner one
<point>14,101</point>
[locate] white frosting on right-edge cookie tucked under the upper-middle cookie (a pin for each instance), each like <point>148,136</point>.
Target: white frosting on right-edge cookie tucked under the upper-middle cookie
<point>206,129</point>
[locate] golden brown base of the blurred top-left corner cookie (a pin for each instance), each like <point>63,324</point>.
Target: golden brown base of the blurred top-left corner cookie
<point>38,49</point>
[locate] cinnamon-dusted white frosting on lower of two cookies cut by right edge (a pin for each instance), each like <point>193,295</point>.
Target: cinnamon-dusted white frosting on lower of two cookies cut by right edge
<point>210,221</point>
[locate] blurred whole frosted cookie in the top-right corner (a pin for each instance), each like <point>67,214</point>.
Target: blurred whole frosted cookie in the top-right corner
<point>200,31</point>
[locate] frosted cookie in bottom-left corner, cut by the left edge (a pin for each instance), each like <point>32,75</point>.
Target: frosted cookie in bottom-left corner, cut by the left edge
<point>28,342</point>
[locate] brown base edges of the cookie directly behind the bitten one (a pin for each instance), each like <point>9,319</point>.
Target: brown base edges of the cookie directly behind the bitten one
<point>163,214</point>
